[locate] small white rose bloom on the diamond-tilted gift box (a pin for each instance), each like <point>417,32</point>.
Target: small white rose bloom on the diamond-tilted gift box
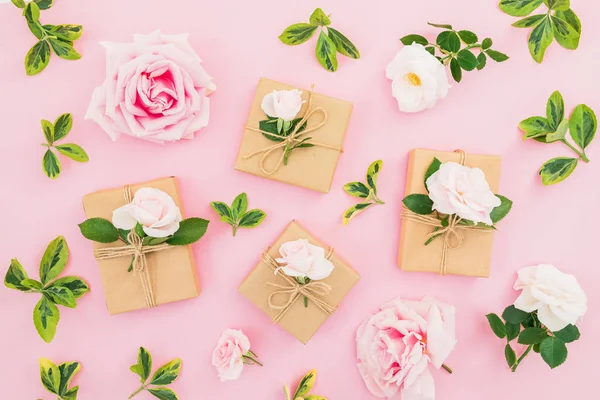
<point>302,259</point>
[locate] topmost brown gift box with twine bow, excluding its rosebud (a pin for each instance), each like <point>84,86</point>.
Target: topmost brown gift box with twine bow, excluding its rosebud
<point>312,167</point>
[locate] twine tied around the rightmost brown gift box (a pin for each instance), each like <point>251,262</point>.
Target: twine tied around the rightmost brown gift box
<point>452,233</point>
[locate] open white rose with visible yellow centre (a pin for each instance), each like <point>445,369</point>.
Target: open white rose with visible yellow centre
<point>419,80</point>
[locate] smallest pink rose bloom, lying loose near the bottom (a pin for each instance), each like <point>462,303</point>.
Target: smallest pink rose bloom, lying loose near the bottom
<point>228,356</point>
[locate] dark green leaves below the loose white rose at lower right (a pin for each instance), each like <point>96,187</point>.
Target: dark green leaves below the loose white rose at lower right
<point>529,331</point>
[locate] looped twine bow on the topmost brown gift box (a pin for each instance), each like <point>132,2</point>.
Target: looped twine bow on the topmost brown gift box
<point>294,138</point>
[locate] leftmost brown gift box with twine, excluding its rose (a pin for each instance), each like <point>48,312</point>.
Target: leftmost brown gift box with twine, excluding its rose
<point>144,272</point>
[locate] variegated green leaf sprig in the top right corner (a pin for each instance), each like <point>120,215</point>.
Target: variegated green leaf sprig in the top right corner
<point>559,22</point>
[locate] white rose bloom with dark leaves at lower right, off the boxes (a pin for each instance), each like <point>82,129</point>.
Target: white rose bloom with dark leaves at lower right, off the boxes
<point>557,297</point>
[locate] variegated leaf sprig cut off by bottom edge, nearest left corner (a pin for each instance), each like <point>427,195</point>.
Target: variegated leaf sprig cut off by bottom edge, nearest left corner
<point>57,379</point>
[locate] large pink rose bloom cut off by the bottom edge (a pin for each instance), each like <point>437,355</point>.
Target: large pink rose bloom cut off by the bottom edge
<point>396,345</point>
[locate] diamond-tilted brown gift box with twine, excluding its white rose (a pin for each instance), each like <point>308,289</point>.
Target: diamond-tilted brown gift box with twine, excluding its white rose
<point>271,293</point>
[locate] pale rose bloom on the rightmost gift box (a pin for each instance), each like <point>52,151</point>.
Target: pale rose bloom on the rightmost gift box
<point>461,190</point>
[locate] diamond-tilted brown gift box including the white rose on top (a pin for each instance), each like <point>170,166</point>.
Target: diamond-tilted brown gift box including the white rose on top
<point>300,304</point>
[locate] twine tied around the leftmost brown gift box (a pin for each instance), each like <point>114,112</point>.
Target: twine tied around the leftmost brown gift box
<point>136,249</point>
